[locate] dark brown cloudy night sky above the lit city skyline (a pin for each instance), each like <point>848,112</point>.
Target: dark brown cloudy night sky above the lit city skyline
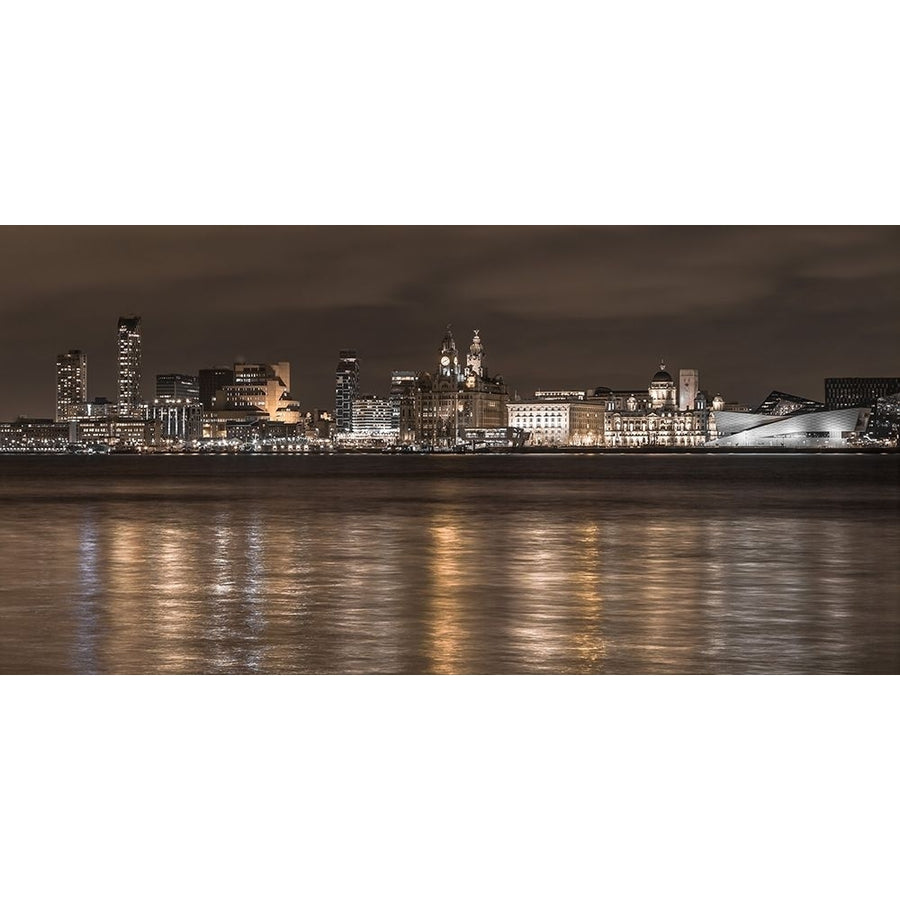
<point>754,309</point>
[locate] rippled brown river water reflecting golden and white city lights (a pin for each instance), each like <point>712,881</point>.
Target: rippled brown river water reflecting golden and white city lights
<point>557,564</point>
